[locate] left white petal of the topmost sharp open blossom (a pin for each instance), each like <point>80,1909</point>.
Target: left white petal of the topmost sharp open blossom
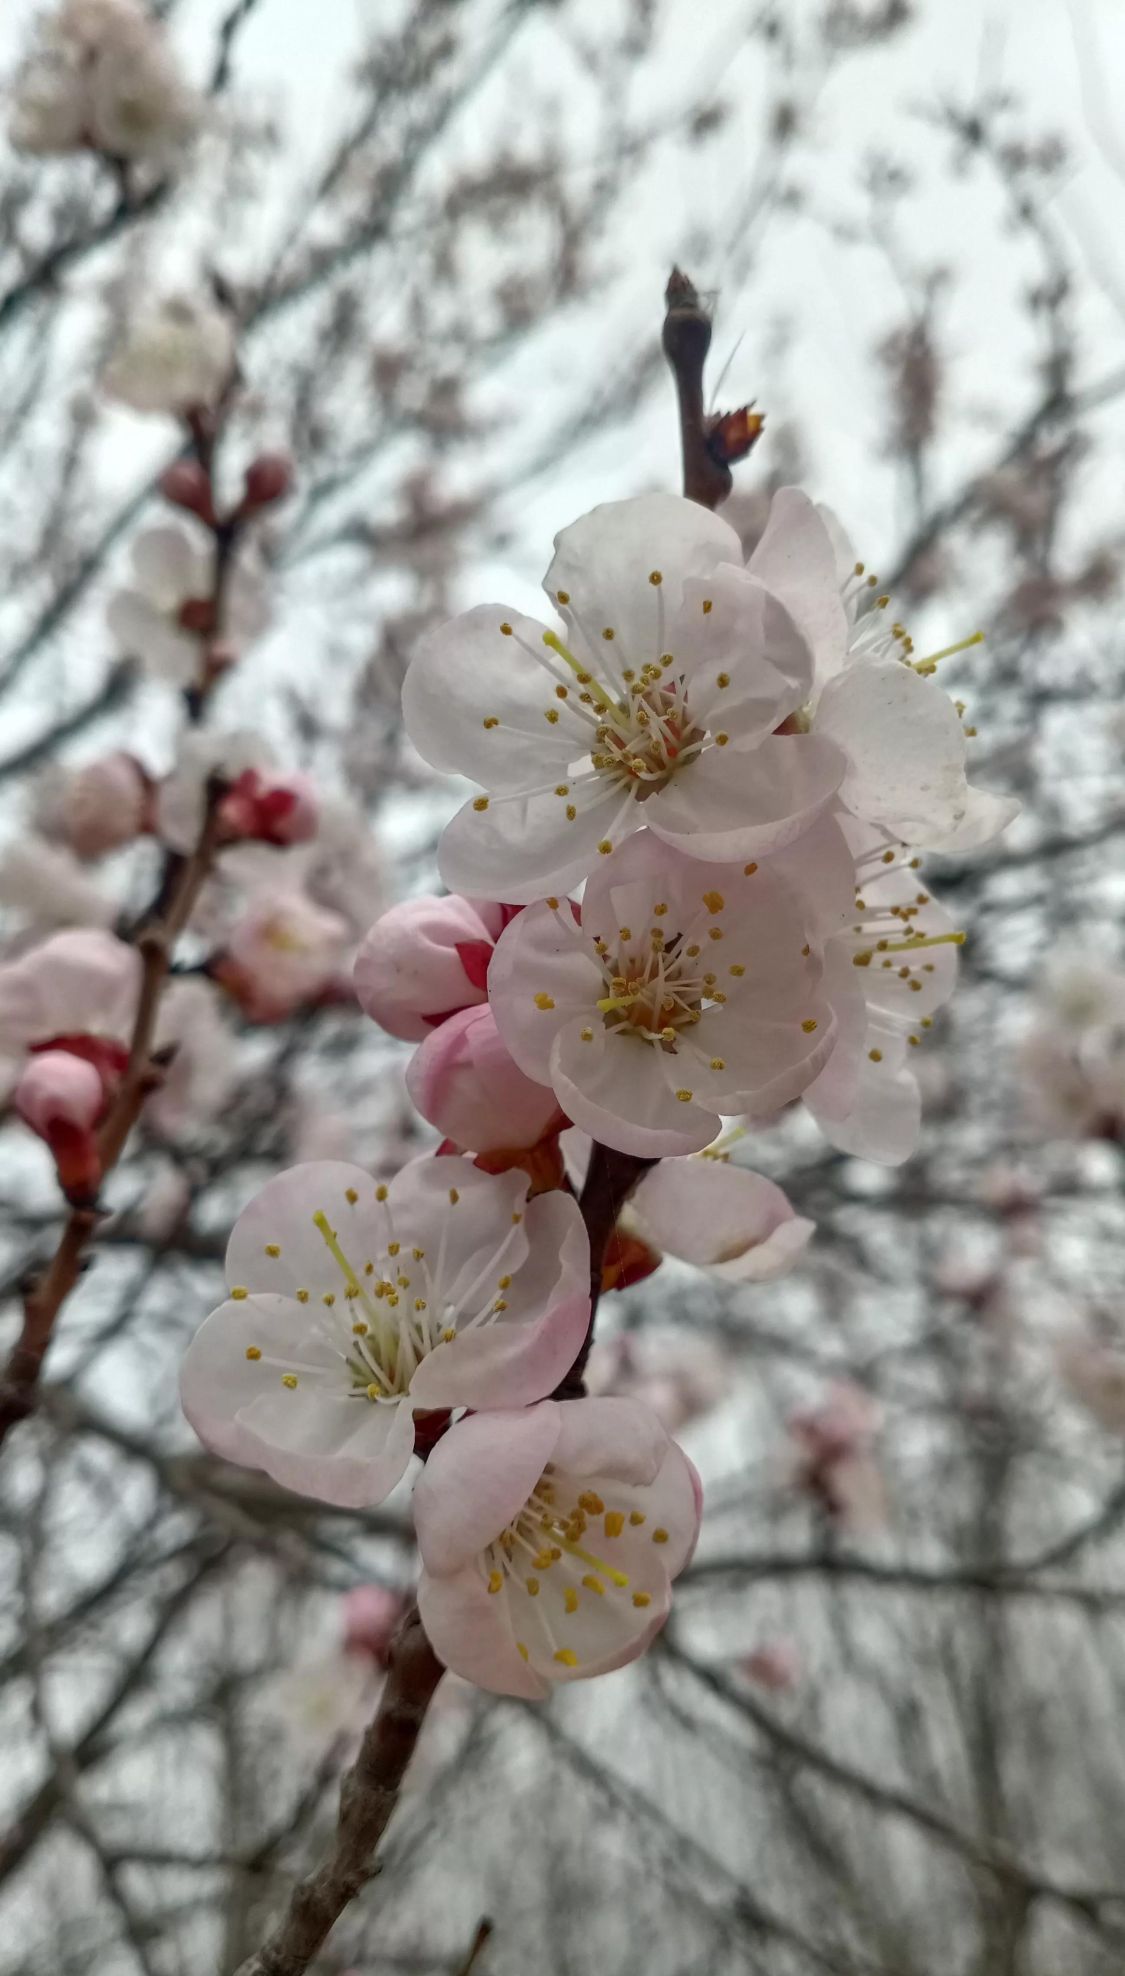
<point>470,673</point>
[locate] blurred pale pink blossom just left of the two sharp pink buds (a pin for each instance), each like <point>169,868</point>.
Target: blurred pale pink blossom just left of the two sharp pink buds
<point>282,953</point>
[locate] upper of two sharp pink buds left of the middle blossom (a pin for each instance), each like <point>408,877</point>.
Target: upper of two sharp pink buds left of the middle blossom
<point>428,959</point>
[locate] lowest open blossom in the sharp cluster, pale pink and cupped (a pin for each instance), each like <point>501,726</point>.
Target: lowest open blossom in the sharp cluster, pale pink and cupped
<point>551,1540</point>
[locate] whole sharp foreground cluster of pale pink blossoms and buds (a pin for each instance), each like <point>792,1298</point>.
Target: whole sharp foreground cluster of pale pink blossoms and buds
<point>687,896</point>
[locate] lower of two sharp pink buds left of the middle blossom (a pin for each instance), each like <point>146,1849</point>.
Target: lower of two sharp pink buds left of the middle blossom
<point>470,1088</point>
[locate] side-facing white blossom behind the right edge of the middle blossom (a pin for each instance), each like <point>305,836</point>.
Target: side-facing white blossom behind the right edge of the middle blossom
<point>887,975</point>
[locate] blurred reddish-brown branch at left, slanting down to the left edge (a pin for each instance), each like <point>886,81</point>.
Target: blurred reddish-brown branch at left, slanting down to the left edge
<point>48,1293</point>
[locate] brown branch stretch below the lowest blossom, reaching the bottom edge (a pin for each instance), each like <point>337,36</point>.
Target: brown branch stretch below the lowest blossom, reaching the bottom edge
<point>369,1797</point>
